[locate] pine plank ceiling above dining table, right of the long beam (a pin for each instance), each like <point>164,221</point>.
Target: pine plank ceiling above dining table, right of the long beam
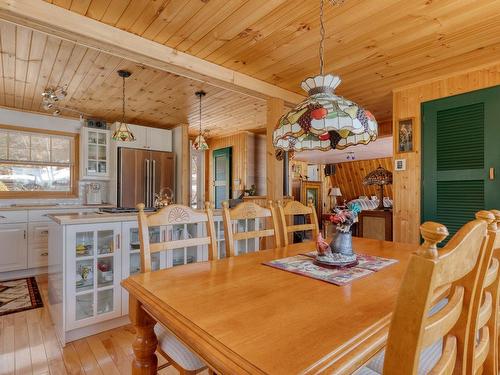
<point>374,46</point>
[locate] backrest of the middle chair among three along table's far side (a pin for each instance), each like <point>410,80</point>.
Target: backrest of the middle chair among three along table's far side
<point>244,211</point>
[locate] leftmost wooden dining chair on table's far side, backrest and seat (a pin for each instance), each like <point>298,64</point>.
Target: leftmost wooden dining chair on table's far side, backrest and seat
<point>169,346</point>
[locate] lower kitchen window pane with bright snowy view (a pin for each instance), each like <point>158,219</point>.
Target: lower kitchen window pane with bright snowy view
<point>34,178</point>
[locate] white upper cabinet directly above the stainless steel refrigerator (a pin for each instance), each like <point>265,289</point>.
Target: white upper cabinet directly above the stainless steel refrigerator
<point>147,138</point>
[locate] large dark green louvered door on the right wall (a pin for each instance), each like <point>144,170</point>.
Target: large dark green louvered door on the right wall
<point>460,157</point>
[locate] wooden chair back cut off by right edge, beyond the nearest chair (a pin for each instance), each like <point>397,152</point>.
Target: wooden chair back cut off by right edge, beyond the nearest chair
<point>490,305</point>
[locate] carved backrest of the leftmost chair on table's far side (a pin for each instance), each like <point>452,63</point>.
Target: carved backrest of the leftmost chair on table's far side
<point>174,214</point>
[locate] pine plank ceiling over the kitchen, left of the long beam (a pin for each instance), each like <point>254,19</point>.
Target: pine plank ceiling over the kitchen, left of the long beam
<point>31,61</point>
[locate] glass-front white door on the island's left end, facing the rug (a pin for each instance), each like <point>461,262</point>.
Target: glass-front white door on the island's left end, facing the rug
<point>93,277</point>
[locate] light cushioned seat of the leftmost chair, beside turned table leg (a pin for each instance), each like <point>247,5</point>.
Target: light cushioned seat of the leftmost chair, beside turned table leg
<point>176,350</point>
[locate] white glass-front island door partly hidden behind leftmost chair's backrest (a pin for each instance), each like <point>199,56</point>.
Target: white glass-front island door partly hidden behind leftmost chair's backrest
<point>131,260</point>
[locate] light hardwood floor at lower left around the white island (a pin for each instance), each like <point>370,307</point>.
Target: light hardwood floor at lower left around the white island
<point>28,345</point>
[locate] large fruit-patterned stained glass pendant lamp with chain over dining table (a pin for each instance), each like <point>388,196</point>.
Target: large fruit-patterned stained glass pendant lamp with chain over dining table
<point>324,120</point>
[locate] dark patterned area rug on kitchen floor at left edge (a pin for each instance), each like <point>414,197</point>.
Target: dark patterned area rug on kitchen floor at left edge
<point>19,295</point>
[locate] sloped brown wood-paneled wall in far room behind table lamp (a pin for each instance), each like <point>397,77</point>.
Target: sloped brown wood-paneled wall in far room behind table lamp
<point>349,178</point>
